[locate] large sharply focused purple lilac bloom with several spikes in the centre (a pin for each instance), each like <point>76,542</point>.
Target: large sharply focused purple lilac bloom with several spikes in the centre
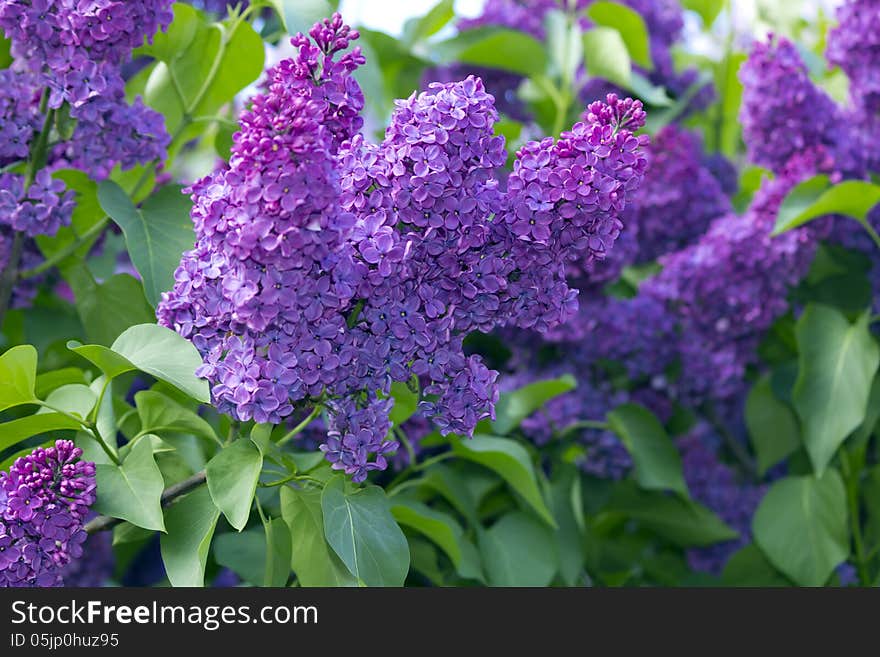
<point>327,267</point>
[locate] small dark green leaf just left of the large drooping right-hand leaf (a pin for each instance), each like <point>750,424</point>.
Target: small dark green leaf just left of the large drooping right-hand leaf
<point>773,426</point>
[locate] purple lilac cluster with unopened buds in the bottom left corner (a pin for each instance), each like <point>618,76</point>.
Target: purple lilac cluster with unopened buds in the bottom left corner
<point>44,500</point>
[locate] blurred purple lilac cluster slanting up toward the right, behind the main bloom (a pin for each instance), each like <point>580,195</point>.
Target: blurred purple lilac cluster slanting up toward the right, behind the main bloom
<point>727,289</point>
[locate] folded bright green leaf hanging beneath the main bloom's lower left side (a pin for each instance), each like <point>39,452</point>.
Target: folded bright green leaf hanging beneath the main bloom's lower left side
<point>232,479</point>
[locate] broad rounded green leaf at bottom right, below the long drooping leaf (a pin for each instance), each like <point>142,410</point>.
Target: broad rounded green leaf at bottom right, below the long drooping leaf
<point>801,526</point>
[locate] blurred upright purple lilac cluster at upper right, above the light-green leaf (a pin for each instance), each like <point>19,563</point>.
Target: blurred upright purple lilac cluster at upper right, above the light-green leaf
<point>783,112</point>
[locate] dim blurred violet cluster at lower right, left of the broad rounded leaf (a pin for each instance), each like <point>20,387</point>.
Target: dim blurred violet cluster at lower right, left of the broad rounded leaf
<point>716,485</point>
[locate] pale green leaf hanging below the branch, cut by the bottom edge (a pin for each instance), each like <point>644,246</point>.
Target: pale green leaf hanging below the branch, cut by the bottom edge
<point>190,524</point>
